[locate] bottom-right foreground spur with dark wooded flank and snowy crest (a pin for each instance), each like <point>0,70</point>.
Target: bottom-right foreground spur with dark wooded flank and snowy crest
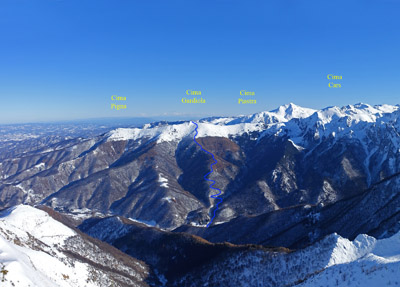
<point>333,261</point>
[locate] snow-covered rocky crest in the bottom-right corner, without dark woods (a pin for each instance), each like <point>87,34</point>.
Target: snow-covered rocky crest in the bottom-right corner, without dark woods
<point>363,262</point>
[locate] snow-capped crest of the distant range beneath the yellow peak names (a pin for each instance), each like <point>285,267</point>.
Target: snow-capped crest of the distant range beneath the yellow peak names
<point>295,121</point>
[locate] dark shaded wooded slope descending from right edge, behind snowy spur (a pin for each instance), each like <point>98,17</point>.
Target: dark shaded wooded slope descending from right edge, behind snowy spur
<point>374,211</point>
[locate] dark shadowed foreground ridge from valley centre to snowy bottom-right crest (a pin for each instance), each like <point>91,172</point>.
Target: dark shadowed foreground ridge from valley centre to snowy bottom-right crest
<point>184,260</point>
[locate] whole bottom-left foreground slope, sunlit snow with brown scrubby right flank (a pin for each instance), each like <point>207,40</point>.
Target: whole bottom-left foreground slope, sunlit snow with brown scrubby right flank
<point>36,250</point>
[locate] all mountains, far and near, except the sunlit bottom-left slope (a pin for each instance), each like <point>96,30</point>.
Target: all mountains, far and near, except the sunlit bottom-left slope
<point>296,183</point>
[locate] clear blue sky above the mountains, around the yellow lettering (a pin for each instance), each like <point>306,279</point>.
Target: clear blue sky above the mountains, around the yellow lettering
<point>64,59</point>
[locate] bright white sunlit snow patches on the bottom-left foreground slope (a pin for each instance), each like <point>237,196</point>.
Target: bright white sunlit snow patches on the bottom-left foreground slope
<point>27,266</point>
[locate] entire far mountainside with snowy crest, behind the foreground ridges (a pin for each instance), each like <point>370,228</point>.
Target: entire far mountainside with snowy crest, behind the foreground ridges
<point>271,167</point>
